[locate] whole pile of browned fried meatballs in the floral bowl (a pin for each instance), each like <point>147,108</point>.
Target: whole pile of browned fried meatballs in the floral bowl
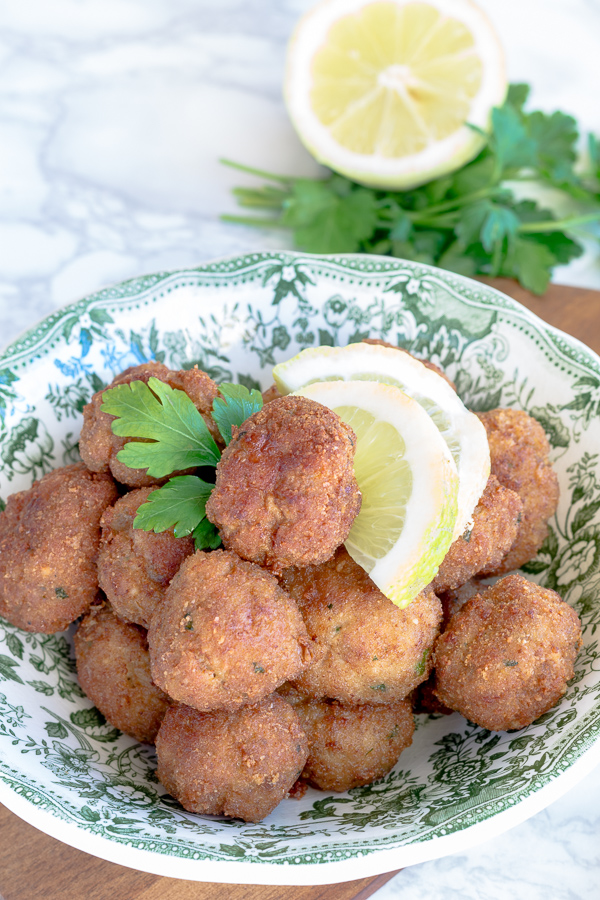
<point>276,662</point>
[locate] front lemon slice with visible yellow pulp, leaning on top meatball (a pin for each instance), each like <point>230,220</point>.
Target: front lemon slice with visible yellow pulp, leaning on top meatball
<point>408,482</point>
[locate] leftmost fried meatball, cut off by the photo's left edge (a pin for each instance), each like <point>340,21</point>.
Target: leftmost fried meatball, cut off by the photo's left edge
<point>49,539</point>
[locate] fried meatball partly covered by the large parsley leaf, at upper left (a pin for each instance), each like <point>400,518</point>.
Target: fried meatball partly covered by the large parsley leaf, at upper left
<point>99,446</point>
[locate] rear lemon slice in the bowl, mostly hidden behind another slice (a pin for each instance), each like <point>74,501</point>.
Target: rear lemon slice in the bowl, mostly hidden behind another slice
<point>462,430</point>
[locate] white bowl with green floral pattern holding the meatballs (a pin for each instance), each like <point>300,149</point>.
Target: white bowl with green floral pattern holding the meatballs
<point>68,772</point>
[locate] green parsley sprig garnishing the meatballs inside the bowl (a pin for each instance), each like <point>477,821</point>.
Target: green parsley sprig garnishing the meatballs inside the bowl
<point>175,437</point>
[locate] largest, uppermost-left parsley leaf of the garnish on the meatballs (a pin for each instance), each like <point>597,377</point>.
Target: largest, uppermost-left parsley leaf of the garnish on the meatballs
<point>175,434</point>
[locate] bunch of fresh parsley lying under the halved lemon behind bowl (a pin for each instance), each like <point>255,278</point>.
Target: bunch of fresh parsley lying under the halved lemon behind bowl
<point>469,221</point>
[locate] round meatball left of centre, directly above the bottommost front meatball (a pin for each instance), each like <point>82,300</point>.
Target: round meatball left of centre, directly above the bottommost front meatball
<point>225,634</point>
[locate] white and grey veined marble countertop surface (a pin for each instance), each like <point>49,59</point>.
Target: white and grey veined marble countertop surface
<point>113,115</point>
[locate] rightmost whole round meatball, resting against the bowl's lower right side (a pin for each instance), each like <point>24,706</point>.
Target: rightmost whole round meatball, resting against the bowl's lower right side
<point>506,656</point>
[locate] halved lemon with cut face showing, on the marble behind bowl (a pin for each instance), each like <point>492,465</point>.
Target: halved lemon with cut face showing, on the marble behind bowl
<point>383,91</point>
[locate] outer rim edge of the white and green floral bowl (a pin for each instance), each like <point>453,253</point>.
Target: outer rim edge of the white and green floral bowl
<point>373,861</point>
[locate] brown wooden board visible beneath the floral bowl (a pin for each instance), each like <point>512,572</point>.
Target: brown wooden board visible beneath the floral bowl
<point>34,866</point>
